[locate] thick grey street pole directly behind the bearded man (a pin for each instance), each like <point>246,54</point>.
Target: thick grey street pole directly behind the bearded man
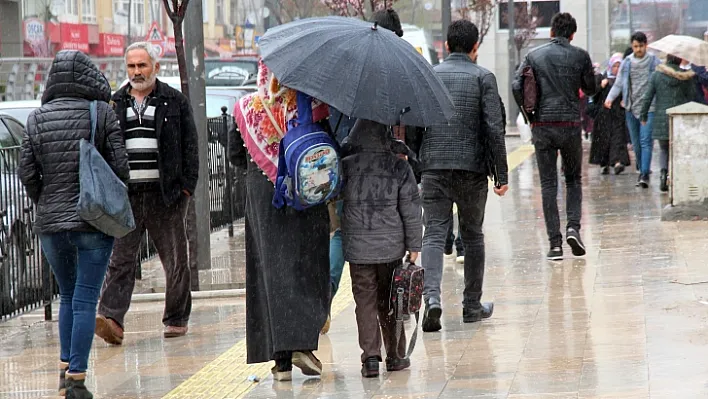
<point>194,49</point>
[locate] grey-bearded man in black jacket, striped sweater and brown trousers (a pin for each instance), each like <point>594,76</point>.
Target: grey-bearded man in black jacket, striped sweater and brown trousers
<point>161,139</point>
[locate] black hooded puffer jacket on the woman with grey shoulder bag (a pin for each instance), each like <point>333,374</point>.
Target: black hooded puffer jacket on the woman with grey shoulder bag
<point>49,167</point>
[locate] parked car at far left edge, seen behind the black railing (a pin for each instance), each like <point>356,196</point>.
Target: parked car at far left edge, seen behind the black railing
<point>20,271</point>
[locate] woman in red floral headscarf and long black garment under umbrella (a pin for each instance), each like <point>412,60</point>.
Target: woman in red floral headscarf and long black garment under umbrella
<point>287,251</point>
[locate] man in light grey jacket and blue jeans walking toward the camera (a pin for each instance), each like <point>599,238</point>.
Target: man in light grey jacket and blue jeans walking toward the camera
<point>633,82</point>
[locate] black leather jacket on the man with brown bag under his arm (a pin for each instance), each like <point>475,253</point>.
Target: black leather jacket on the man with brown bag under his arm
<point>561,71</point>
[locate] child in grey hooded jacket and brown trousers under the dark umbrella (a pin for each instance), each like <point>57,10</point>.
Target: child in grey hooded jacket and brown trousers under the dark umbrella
<point>381,221</point>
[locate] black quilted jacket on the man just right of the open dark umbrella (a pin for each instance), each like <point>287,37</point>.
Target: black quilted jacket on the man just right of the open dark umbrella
<point>477,128</point>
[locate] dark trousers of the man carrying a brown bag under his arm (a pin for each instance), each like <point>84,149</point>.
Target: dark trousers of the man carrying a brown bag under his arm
<point>549,140</point>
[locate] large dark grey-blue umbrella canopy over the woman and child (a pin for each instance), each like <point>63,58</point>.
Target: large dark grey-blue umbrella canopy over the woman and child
<point>362,70</point>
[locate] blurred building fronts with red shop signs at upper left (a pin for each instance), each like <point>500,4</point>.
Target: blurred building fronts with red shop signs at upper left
<point>102,28</point>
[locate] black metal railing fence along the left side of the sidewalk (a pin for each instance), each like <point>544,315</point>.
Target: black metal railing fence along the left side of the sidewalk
<point>26,282</point>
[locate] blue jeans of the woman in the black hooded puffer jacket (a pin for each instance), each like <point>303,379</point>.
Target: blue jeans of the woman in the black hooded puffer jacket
<point>79,261</point>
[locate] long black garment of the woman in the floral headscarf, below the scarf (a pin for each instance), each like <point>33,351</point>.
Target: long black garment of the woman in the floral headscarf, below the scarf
<point>287,269</point>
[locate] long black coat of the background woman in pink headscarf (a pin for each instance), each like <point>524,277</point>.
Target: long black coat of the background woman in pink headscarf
<point>609,136</point>
